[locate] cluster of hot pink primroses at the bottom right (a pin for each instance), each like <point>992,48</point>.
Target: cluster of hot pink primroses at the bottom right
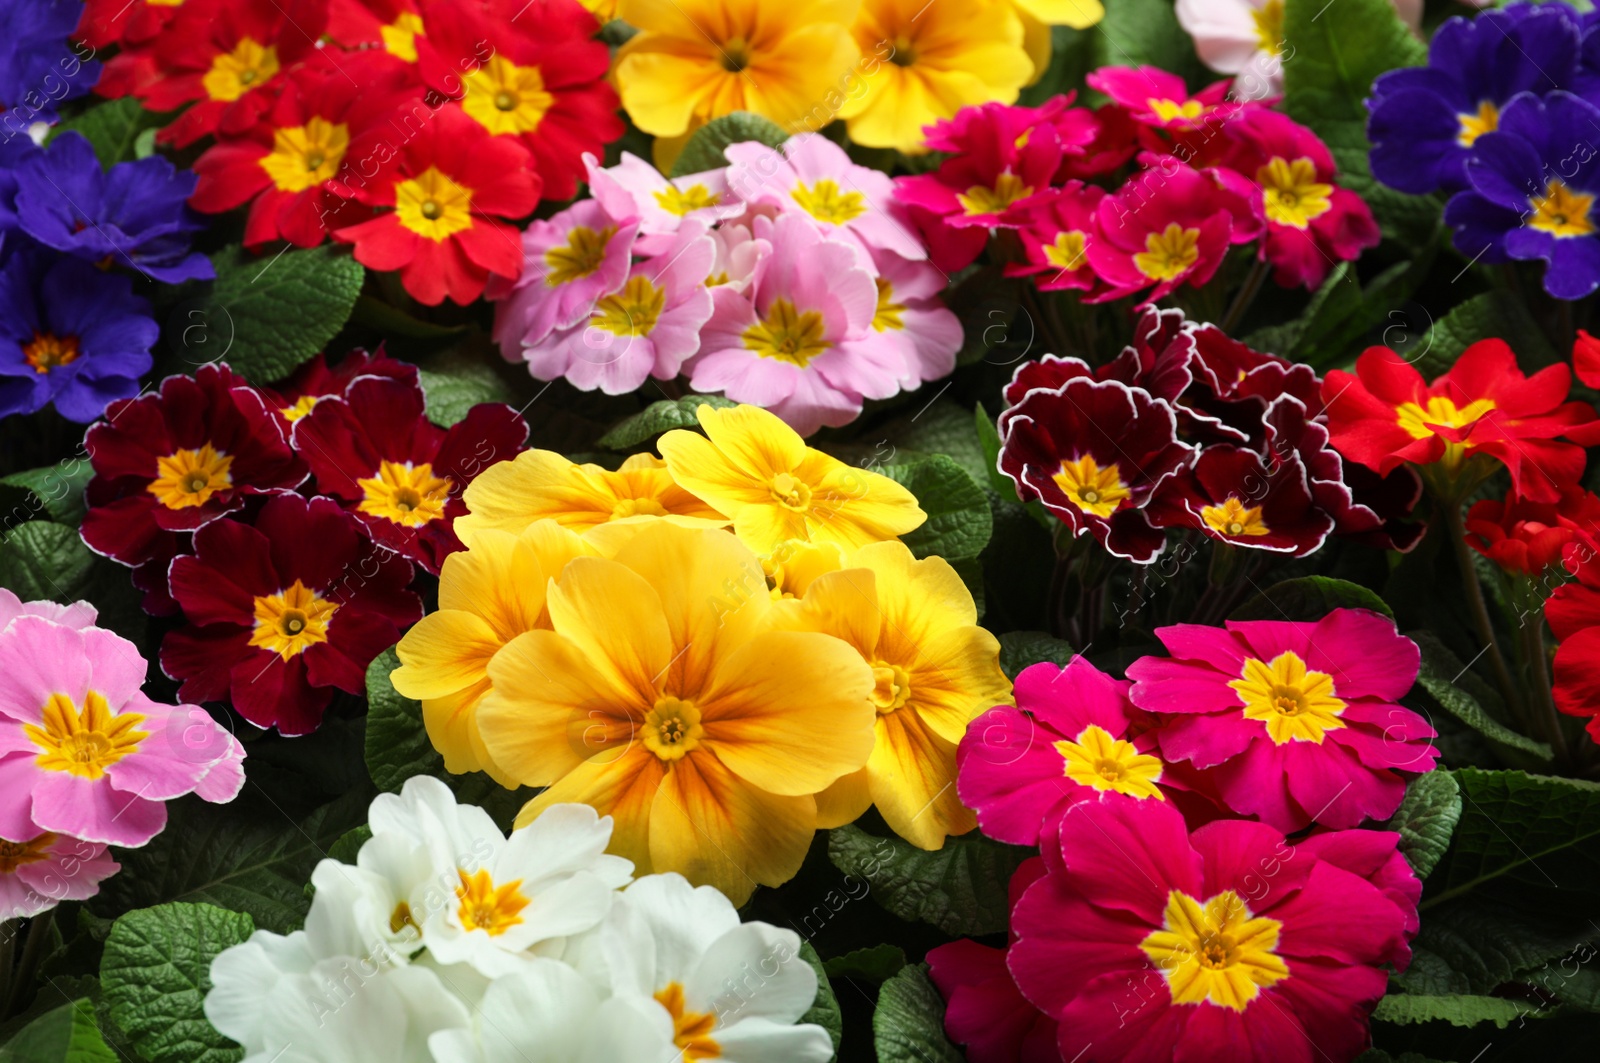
<point>1169,907</point>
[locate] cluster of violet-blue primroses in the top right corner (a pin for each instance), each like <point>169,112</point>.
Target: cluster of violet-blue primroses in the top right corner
<point>1505,121</point>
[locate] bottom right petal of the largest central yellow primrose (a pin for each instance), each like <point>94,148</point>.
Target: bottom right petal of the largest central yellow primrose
<point>716,830</point>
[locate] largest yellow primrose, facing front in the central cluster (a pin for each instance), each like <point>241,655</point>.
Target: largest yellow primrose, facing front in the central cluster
<point>663,697</point>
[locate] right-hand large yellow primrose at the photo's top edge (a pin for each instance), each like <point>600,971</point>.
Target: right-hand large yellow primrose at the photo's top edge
<point>927,60</point>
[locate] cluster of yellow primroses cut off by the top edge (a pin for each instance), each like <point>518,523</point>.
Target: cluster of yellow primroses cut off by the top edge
<point>889,68</point>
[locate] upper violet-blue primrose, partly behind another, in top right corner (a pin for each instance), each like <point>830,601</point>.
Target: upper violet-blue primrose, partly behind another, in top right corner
<point>1426,121</point>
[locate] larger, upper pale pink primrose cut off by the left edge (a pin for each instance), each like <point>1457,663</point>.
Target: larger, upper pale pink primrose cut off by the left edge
<point>82,750</point>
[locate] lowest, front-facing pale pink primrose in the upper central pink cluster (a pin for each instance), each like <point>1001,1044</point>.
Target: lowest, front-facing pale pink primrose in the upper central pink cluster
<point>782,343</point>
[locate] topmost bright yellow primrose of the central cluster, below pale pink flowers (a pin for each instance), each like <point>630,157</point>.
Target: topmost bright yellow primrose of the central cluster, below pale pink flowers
<point>758,471</point>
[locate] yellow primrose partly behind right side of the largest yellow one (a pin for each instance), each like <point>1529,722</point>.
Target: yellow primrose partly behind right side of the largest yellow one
<point>935,672</point>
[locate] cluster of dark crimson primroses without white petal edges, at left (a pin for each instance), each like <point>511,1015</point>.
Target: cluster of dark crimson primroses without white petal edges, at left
<point>284,526</point>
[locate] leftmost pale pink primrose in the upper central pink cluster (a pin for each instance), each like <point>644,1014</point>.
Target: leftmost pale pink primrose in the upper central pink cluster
<point>570,263</point>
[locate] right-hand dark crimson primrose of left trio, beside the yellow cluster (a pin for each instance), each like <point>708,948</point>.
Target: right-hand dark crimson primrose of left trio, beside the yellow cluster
<point>375,451</point>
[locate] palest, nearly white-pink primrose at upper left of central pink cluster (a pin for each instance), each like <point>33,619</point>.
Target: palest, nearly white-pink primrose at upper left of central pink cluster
<point>636,191</point>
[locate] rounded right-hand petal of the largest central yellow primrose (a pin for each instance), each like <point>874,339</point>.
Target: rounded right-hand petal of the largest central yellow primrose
<point>790,712</point>
